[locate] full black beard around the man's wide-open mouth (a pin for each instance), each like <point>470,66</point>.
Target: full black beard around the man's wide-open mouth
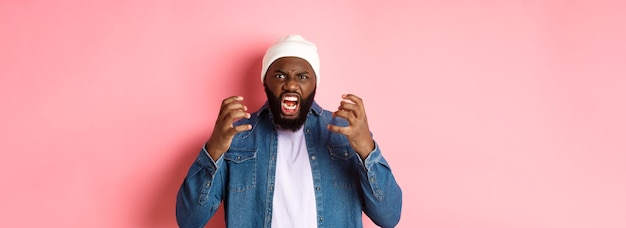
<point>284,123</point>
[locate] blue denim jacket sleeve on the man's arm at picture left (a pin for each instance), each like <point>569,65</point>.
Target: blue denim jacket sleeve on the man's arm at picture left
<point>201,192</point>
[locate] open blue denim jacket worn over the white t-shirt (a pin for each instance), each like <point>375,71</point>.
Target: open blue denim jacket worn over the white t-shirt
<point>243,177</point>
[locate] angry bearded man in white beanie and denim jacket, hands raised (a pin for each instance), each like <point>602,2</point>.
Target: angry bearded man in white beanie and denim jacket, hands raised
<point>291,163</point>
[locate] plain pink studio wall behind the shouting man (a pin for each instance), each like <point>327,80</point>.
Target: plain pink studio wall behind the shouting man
<point>491,113</point>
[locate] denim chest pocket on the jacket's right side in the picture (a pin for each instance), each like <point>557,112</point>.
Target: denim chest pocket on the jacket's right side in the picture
<point>342,160</point>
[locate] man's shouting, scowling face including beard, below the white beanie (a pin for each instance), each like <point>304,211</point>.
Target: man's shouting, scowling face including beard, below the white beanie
<point>290,89</point>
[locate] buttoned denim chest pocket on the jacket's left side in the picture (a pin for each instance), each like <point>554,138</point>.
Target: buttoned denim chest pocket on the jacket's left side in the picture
<point>241,165</point>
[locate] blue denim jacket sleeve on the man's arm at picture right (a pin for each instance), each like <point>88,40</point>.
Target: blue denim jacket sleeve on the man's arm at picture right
<point>382,195</point>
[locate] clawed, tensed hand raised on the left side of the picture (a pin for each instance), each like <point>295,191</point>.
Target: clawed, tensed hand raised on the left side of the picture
<point>223,132</point>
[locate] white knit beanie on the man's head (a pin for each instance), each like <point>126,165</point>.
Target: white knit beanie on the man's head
<point>292,46</point>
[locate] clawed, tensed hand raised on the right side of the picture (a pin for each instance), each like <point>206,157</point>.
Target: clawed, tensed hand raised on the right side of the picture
<point>357,131</point>
